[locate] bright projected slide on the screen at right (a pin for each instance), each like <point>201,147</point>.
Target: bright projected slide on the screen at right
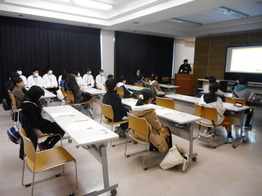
<point>244,59</point>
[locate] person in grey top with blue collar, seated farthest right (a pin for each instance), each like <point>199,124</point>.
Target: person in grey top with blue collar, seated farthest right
<point>241,91</point>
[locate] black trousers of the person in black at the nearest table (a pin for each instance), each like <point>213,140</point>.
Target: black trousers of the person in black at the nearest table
<point>52,128</point>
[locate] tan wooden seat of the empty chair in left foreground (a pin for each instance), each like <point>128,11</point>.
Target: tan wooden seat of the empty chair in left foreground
<point>56,157</point>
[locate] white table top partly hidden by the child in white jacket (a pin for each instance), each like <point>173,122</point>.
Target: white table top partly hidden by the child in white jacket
<point>196,100</point>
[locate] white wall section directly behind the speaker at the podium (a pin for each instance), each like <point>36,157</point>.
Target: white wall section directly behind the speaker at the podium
<point>184,49</point>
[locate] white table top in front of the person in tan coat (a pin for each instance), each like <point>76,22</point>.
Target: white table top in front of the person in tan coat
<point>167,114</point>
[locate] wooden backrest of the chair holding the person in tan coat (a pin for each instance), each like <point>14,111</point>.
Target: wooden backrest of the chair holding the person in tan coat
<point>138,124</point>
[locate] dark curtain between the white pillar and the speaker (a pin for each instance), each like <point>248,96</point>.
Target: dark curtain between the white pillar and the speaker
<point>151,54</point>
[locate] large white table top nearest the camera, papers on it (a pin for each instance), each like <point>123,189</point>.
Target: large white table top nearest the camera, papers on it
<point>82,129</point>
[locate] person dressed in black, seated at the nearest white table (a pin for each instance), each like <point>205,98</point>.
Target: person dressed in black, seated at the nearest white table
<point>32,110</point>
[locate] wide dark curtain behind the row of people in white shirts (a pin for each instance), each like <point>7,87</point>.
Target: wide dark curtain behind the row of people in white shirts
<point>29,44</point>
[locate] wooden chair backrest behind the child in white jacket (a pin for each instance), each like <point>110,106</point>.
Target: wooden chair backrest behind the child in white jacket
<point>206,112</point>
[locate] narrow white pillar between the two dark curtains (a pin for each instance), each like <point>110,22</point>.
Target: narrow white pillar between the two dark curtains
<point>107,51</point>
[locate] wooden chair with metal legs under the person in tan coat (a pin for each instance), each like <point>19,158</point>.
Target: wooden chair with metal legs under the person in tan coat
<point>139,125</point>
